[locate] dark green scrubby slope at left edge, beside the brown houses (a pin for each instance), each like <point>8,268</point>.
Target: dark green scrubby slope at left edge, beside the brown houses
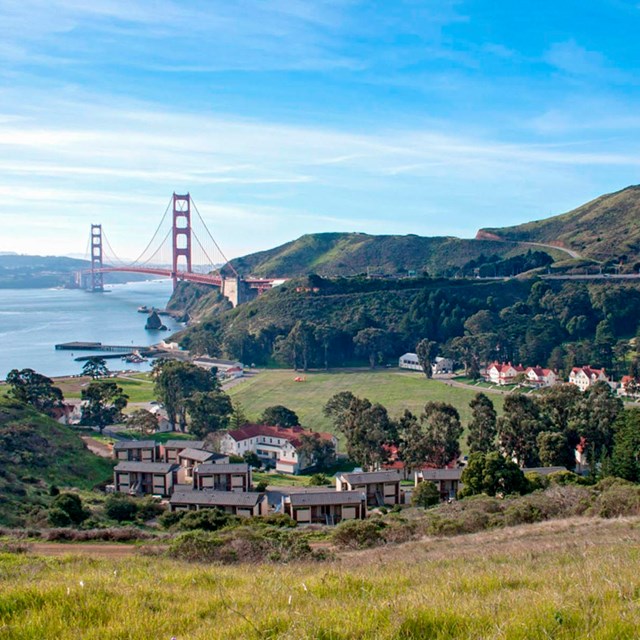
<point>35,452</point>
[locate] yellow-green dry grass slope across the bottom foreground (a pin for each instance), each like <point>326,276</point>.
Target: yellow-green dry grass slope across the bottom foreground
<point>576,578</point>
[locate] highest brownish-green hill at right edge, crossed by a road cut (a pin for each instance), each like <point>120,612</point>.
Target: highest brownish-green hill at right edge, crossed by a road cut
<point>605,229</point>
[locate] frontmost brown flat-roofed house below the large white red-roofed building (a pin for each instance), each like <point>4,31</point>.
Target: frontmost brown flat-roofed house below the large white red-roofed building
<point>325,506</point>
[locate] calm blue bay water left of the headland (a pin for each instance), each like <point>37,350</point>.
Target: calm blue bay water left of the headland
<point>32,321</point>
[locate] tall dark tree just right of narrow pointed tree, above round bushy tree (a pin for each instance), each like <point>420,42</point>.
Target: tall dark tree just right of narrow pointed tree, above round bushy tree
<point>518,429</point>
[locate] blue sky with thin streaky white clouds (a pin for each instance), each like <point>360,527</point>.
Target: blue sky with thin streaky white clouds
<point>286,117</point>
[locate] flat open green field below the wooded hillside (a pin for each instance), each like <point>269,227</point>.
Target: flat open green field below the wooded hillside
<point>394,389</point>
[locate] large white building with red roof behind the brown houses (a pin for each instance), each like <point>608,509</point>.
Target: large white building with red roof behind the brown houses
<point>277,447</point>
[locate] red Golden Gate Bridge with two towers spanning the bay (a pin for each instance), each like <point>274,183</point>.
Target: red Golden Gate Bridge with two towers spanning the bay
<point>180,242</point>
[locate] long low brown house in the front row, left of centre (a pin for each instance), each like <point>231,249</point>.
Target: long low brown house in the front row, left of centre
<point>245,504</point>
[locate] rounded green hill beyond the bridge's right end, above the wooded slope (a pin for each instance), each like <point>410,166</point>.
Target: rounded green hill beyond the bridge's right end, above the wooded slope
<point>348,254</point>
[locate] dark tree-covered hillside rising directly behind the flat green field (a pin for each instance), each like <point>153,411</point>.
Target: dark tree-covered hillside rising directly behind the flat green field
<point>539,323</point>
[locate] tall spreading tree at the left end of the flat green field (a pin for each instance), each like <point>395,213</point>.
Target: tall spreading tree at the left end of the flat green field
<point>176,381</point>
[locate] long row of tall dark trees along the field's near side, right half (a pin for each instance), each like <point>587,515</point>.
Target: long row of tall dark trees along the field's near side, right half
<point>534,430</point>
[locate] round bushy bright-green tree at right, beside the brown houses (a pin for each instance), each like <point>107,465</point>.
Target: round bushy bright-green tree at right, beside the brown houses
<point>492,474</point>
